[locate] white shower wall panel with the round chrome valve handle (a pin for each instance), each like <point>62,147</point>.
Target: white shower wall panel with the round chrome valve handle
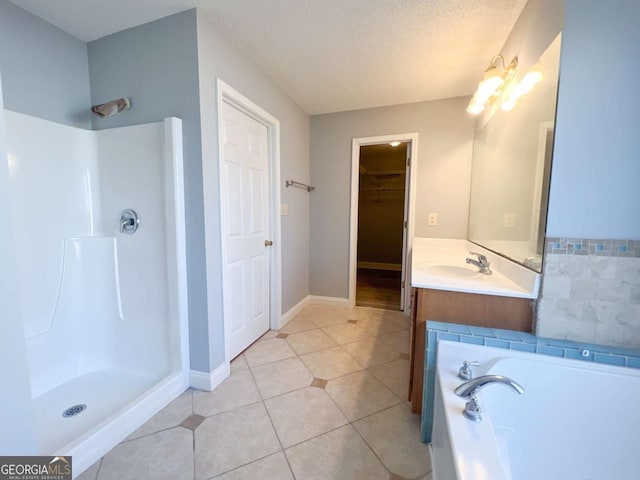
<point>132,176</point>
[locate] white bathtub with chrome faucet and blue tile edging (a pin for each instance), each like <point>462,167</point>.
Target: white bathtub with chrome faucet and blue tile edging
<point>575,421</point>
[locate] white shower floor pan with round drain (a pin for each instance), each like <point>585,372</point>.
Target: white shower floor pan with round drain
<point>104,393</point>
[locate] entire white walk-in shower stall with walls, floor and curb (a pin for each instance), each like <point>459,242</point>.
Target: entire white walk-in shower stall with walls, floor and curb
<point>96,220</point>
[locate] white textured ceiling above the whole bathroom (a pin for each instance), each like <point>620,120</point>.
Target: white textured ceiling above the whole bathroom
<point>330,55</point>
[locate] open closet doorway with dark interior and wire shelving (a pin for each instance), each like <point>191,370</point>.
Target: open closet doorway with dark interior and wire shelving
<point>381,203</point>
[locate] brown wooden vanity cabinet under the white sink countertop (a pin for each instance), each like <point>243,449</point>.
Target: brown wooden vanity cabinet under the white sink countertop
<point>463,308</point>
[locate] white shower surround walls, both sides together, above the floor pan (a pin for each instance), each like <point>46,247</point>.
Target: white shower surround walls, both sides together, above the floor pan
<point>69,183</point>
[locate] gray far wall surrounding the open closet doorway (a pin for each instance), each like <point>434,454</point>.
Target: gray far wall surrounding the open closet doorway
<point>443,171</point>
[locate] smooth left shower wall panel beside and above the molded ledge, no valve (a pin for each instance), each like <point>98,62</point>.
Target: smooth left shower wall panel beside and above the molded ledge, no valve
<point>53,173</point>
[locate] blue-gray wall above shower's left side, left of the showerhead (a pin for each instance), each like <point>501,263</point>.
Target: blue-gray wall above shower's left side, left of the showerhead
<point>44,69</point>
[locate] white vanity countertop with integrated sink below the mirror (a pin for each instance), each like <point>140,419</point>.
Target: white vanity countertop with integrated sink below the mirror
<point>440,264</point>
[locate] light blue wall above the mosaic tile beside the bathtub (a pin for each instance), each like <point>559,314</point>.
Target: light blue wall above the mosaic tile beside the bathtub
<point>595,183</point>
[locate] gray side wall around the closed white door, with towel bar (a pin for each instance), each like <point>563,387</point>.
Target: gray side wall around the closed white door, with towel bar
<point>218,58</point>
